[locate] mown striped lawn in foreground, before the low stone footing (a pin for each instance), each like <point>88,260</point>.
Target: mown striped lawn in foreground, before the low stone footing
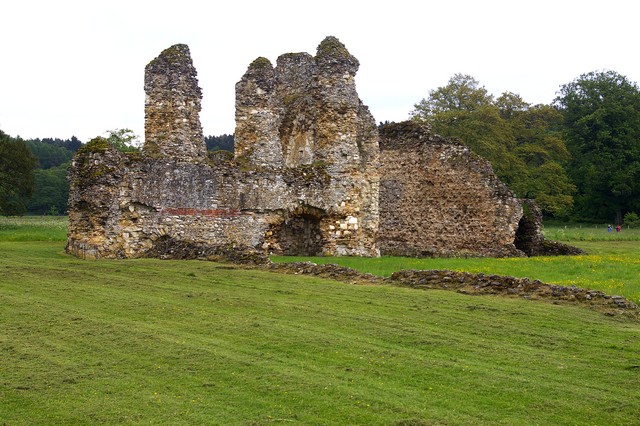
<point>189,342</point>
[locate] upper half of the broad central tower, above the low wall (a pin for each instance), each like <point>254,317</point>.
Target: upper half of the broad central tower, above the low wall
<point>306,110</point>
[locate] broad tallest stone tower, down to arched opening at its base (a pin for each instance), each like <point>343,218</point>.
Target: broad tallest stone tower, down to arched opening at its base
<point>305,115</point>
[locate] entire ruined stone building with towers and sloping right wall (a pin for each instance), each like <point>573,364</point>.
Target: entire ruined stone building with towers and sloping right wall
<point>311,175</point>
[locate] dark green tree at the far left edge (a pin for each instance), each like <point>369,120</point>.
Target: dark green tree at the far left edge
<point>16,175</point>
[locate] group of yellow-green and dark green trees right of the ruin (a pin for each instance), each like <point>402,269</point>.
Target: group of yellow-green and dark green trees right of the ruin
<point>578,158</point>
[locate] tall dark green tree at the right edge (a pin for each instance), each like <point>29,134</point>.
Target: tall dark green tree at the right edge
<point>602,131</point>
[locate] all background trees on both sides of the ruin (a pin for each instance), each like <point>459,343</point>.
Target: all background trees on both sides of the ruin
<point>578,157</point>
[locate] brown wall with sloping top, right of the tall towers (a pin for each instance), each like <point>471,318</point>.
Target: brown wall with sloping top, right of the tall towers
<point>439,199</point>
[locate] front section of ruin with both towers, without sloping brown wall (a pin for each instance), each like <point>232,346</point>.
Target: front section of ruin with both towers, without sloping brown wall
<point>298,184</point>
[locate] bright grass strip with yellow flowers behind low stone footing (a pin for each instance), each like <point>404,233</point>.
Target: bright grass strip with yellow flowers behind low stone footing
<point>611,262</point>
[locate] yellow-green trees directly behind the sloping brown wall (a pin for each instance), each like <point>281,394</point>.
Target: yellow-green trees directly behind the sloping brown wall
<point>522,142</point>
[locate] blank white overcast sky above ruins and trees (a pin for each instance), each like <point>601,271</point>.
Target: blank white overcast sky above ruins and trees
<point>77,67</point>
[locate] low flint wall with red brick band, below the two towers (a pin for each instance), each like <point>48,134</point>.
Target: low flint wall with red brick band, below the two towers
<point>128,206</point>
